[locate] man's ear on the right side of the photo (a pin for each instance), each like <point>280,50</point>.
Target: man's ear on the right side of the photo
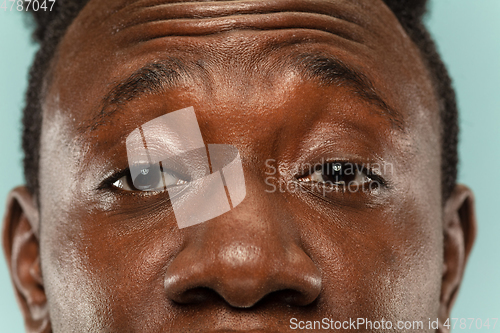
<point>459,233</point>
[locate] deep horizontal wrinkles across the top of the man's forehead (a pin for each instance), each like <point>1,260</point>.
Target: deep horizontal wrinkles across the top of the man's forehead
<point>139,22</point>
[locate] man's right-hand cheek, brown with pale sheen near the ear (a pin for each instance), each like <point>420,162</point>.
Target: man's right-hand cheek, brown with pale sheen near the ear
<point>378,263</point>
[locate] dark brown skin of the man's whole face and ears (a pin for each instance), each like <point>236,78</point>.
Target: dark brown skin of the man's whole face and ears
<point>92,257</point>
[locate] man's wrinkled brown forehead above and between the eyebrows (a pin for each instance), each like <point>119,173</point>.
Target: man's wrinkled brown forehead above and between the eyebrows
<point>234,46</point>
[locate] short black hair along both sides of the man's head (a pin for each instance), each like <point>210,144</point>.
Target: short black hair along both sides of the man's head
<point>50,27</point>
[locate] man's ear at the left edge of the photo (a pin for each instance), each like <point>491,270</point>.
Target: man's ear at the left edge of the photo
<point>21,247</point>
